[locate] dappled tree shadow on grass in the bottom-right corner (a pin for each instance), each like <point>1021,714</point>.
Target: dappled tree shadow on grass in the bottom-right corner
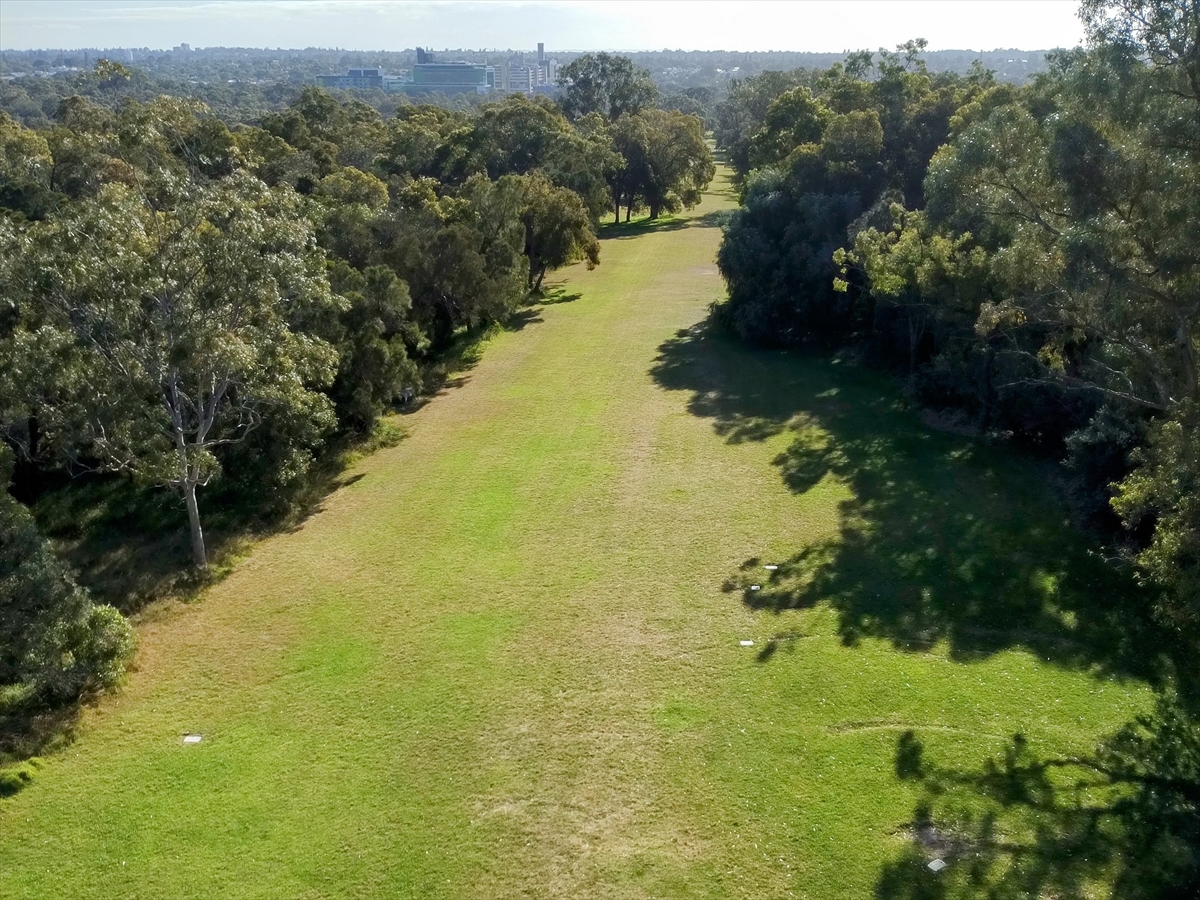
<point>1031,826</point>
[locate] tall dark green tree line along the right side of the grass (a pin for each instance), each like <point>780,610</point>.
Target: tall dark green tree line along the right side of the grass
<point>1029,260</point>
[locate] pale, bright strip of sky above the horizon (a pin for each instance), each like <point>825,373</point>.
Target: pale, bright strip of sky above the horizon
<point>815,26</point>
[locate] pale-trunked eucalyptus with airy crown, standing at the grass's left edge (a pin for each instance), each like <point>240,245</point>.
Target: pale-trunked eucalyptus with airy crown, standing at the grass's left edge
<point>169,313</point>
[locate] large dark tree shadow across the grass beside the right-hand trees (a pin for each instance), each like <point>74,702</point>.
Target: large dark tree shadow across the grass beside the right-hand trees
<point>941,539</point>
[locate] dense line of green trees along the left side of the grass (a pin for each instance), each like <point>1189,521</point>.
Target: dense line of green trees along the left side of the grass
<point>185,303</point>
